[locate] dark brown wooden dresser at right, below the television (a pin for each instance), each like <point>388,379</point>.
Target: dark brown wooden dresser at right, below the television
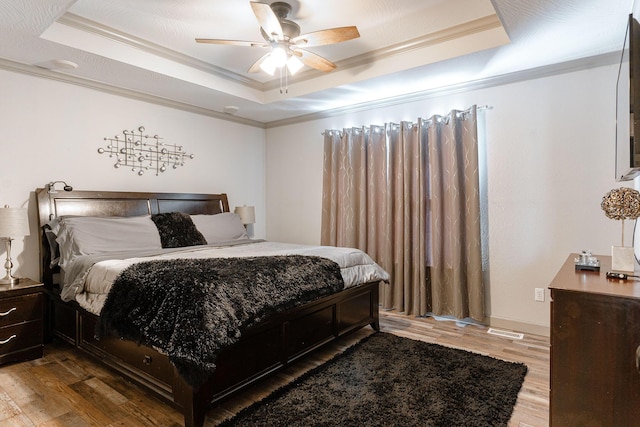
<point>595,348</point>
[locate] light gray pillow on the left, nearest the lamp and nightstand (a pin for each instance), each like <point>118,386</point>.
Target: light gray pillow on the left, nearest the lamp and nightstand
<point>93,235</point>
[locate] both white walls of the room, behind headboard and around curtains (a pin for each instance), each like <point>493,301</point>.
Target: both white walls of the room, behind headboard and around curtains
<point>550,145</point>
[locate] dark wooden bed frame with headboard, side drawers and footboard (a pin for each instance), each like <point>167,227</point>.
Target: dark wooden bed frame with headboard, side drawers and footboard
<point>262,351</point>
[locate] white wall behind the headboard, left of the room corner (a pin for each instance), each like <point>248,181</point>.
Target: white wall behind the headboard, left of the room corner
<point>52,131</point>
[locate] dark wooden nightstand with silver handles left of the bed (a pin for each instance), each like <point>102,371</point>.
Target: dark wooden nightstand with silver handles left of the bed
<point>21,321</point>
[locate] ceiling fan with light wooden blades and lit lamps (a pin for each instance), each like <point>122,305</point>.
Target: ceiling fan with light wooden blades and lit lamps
<point>286,43</point>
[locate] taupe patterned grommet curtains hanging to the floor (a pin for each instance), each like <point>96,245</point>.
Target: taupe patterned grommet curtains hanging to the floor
<point>408,195</point>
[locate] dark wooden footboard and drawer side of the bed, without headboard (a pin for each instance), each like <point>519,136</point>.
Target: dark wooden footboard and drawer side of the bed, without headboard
<point>262,351</point>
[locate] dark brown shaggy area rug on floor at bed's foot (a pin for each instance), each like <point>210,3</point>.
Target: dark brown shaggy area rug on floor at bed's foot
<point>386,380</point>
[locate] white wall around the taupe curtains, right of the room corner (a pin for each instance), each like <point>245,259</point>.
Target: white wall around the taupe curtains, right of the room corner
<point>550,159</point>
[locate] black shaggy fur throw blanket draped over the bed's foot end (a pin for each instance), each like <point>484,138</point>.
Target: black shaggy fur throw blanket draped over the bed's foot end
<point>191,309</point>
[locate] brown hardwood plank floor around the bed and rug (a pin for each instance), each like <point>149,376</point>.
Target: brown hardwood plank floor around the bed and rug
<point>66,388</point>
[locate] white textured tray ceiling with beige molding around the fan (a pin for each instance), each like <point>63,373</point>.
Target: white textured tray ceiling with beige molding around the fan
<point>406,46</point>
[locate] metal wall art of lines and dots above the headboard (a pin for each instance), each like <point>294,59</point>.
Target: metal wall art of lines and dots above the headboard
<point>143,152</point>
